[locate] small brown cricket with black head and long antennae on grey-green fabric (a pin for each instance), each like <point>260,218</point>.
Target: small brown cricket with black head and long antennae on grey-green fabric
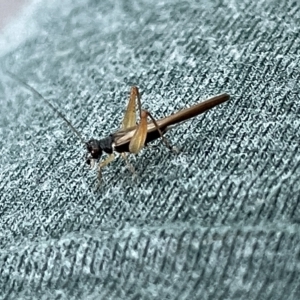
<point>133,136</point>
